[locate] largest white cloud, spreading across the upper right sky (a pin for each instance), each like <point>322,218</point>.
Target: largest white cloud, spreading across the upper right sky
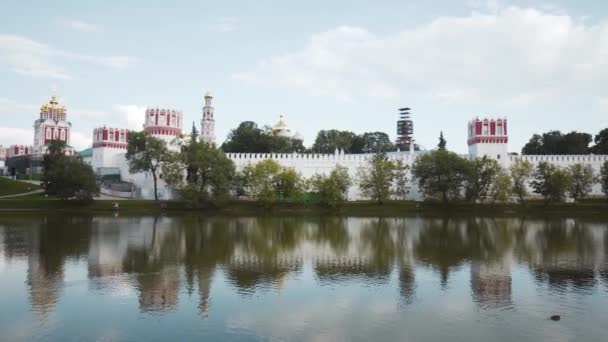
<point>514,55</point>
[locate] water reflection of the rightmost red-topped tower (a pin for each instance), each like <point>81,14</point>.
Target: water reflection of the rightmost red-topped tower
<point>491,283</point>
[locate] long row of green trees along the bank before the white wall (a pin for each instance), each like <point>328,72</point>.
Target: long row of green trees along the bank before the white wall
<point>203,174</point>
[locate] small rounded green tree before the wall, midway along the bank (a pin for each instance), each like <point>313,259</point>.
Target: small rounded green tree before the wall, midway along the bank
<point>332,189</point>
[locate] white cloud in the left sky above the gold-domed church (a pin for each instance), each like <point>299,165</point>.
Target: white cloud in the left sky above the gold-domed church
<point>26,56</point>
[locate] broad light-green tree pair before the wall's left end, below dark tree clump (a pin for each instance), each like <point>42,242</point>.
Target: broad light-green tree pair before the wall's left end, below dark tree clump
<point>267,180</point>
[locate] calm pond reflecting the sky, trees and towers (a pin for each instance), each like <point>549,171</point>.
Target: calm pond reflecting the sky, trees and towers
<point>310,278</point>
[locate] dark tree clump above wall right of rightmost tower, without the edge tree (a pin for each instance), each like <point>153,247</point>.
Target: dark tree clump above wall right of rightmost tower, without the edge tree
<point>555,142</point>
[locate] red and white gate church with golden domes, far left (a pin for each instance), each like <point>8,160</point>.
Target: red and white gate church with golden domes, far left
<point>52,125</point>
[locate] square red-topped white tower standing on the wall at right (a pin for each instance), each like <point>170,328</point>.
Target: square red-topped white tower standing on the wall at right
<point>489,137</point>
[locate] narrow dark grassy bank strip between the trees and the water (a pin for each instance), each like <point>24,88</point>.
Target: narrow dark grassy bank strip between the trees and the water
<point>594,208</point>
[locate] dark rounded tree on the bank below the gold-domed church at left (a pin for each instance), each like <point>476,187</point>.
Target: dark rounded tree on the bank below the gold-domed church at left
<point>71,179</point>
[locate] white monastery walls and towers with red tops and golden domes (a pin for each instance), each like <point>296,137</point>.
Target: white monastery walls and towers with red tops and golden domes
<point>486,137</point>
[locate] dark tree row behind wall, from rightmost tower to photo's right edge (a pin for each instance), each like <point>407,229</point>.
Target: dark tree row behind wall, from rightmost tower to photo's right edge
<point>555,142</point>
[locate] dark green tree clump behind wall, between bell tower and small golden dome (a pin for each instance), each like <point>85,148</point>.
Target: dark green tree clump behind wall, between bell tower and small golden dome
<point>249,138</point>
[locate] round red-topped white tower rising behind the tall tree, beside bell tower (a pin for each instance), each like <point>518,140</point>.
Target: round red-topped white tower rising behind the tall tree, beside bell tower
<point>163,123</point>
